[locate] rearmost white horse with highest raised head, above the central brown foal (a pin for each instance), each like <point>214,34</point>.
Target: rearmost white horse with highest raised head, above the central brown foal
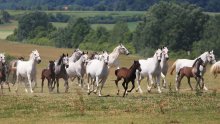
<point>113,57</point>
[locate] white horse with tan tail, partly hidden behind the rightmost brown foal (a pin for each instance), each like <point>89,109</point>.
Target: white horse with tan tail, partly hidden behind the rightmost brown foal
<point>207,57</point>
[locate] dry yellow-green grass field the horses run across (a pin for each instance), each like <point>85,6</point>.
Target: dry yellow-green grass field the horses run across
<point>77,107</point>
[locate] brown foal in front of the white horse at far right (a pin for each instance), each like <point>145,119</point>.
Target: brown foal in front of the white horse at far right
<point>193,71</point>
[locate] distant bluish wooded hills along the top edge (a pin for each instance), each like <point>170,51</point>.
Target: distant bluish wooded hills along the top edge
<point>99,5</point>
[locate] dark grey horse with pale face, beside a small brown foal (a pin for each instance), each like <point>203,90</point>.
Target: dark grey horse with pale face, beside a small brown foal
<point>60,71</point>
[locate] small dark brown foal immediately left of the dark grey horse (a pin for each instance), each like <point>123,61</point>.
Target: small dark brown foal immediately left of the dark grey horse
<point>49,74</point>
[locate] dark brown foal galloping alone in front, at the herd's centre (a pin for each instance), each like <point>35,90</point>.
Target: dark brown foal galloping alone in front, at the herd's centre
<point>128,75</point>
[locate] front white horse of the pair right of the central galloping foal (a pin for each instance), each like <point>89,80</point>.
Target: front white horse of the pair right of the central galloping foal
<point>151,69</point>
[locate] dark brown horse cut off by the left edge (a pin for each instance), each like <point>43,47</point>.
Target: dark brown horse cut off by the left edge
<point>3,75</point>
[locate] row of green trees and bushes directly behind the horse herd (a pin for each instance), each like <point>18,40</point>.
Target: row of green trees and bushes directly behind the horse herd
<point>180,27</point>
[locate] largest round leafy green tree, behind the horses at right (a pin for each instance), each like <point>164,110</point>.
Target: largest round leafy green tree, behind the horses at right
<point>174,25</point>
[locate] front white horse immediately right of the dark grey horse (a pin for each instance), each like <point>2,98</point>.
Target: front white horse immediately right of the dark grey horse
<point>77,69</point>
